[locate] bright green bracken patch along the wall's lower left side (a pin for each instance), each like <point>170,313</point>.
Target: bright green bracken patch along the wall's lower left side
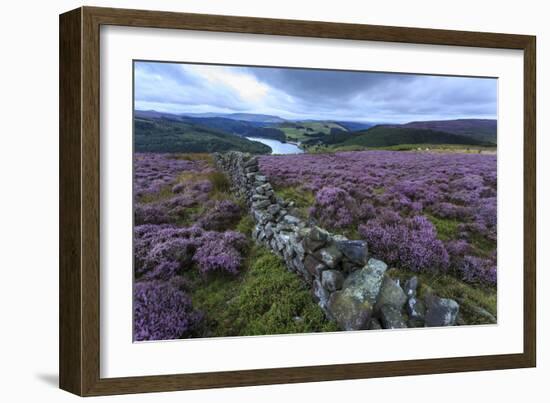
<point>265,299</point>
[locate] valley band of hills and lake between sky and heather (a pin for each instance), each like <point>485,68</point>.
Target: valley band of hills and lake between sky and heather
<point>163,132</point>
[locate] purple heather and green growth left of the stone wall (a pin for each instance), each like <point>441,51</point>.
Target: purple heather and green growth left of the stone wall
<point>197,273</point>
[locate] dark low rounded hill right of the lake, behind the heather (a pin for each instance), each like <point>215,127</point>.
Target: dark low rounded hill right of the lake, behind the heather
<point>384,136</point>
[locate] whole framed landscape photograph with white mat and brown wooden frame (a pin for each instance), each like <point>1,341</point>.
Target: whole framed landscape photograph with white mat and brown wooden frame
<point>249,201</point>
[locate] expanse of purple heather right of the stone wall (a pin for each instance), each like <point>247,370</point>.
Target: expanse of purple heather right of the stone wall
<point>425,212</point>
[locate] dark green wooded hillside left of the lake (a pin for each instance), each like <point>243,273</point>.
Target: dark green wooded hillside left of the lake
<point>162,134</point>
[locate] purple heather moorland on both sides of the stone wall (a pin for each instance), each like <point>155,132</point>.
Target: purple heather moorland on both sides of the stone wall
<point>428,213</point>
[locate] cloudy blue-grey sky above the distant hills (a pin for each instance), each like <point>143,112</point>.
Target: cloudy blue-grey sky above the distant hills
<point>311,94</point>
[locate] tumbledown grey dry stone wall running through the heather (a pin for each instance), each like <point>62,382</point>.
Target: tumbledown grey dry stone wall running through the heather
<point>352,288</point>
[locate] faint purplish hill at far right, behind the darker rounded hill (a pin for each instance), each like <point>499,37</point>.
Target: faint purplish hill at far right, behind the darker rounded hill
<point>479,129</point>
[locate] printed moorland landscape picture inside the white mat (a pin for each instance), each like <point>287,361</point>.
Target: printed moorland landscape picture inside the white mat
<point>277,201</point>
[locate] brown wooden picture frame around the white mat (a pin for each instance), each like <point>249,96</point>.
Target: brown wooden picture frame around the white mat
<point>79,350</point>
